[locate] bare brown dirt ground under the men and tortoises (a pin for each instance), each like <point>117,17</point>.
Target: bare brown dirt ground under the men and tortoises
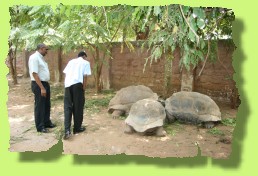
<point>105,135</point>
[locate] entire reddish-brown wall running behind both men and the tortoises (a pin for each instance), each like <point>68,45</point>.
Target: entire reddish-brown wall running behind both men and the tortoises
<point>126,69</point>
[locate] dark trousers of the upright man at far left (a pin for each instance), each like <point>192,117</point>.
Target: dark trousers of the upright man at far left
<point>41,105</point>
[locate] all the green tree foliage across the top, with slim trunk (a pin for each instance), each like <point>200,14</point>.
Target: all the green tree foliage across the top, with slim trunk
<point>193,30</point>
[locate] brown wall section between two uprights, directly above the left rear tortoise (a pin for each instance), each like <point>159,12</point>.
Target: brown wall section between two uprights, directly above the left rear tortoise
<point>127,69</point>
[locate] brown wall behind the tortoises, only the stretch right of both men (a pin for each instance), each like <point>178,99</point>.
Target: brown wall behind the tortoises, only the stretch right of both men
<point>127,69</point>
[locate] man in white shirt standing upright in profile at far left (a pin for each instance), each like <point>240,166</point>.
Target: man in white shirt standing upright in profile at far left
<point>39,74</point>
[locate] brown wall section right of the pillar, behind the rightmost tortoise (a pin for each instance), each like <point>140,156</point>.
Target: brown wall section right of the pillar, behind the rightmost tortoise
<point>216,78</point>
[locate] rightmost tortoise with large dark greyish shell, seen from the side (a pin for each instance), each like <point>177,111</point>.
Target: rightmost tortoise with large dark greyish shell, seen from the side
<point>192,107</point>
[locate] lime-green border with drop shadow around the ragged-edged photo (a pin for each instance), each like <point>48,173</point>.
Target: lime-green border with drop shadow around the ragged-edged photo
<point>243,158</point>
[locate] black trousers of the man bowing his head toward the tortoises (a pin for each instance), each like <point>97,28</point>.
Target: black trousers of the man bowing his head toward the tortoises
<point>73,106</point>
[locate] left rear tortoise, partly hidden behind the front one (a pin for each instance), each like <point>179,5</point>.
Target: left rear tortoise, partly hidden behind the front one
<point>121,103</point>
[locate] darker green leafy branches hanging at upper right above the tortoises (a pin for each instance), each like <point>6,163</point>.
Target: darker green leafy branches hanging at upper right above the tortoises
<point>191,29</point>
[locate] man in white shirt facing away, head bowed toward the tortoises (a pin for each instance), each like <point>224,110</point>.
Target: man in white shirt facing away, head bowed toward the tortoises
<point>76,73</point>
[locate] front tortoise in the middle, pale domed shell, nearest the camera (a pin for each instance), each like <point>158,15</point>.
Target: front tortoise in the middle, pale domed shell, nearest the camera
<point>146,117</point>
